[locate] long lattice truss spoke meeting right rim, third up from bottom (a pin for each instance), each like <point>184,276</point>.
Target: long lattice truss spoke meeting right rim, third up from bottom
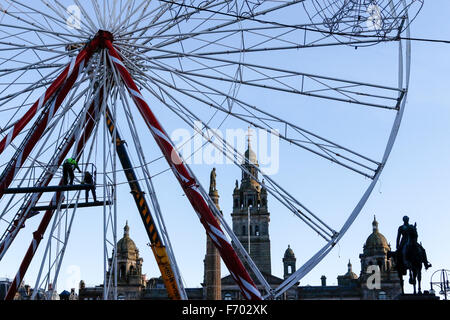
<point>298,81</point>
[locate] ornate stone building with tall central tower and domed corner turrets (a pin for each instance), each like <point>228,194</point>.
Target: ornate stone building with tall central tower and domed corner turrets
<point>250,223</point>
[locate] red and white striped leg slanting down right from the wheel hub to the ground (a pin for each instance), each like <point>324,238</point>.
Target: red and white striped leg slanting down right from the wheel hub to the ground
<point>189,184</point>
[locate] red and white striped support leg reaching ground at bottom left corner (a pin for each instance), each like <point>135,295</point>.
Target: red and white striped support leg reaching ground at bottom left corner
<point>92,117</point>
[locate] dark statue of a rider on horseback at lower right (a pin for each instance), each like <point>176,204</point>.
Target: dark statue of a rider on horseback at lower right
<point>409,255</point>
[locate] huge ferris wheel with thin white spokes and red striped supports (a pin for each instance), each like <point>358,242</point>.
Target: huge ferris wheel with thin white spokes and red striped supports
<point>78,78</point>
